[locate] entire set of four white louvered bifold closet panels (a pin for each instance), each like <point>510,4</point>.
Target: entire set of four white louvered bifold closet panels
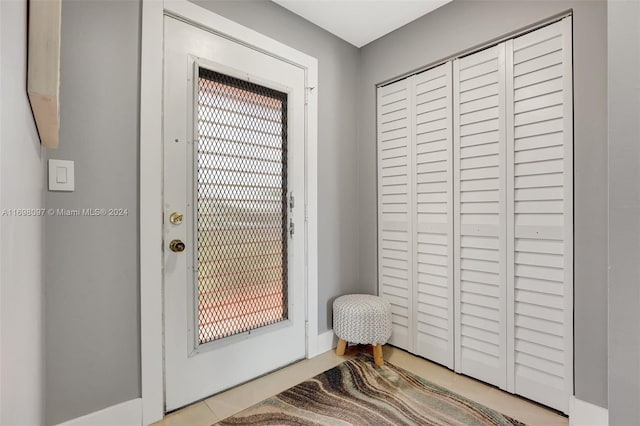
<point>475,213</point>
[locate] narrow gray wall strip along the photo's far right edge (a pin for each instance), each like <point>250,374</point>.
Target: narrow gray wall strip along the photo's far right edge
<point>624,212</point>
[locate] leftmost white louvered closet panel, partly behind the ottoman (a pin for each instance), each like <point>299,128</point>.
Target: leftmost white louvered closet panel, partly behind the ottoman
<point>395,238</point>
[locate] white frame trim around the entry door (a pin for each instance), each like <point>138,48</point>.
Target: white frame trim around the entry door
<point>151,198</point>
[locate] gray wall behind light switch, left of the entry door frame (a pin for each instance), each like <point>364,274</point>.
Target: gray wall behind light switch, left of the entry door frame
<point>91,274</point>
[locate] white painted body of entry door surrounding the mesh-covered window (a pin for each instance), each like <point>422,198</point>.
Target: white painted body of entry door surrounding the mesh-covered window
<point>194,371</point>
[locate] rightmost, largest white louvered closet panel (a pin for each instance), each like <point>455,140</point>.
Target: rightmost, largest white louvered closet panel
<point>540,208</point>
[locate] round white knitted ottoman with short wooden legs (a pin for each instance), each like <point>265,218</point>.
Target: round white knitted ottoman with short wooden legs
<point>362,319</point>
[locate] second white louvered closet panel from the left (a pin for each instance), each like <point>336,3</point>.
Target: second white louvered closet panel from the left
<point>433,175</point>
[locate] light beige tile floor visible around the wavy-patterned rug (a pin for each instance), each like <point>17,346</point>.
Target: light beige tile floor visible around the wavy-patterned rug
<point>225,404</point>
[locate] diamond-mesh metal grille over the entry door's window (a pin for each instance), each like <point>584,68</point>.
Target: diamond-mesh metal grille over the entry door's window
<point>241,209</point>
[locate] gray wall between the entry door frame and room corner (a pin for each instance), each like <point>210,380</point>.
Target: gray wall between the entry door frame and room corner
<point>338,105</point>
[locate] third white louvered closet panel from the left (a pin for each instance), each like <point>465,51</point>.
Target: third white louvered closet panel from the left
<point>479,206</point>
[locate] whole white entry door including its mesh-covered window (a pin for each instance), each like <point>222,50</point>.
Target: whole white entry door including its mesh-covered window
<point>234,292</point>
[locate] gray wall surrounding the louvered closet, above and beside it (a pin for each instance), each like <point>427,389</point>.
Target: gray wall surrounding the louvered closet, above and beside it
<point>459,26</point>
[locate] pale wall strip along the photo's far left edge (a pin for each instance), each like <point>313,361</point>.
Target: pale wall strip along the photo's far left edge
<point>21,257</point>
